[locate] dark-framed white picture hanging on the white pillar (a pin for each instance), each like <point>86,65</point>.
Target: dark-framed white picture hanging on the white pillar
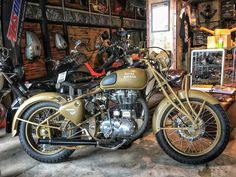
<point>161,16</point>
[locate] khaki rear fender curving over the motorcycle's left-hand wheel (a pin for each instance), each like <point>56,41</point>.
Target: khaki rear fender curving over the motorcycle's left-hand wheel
<point>47,96</point>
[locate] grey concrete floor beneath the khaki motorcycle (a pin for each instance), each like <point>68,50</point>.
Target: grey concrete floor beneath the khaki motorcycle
<point>144,158</point>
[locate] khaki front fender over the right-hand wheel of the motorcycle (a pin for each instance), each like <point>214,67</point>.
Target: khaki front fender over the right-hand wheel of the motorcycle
<point>165,103</point>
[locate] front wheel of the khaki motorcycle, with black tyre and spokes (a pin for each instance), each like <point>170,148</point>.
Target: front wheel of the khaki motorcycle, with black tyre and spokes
<point>191,145</point>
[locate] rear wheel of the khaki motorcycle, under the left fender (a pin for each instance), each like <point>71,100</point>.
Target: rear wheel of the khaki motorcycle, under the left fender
<point>29,134</point>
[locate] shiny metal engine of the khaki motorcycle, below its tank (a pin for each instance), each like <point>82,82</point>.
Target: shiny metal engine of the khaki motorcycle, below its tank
<point>119,122</point>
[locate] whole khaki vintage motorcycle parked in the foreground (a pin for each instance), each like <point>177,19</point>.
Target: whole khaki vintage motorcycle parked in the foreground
<point>189,125</point>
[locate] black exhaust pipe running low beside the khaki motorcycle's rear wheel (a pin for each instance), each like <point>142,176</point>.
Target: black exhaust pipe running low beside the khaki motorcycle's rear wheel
<point>67,142</point>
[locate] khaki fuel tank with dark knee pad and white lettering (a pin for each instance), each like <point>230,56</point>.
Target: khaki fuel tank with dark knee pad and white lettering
<point>130,78</point>
